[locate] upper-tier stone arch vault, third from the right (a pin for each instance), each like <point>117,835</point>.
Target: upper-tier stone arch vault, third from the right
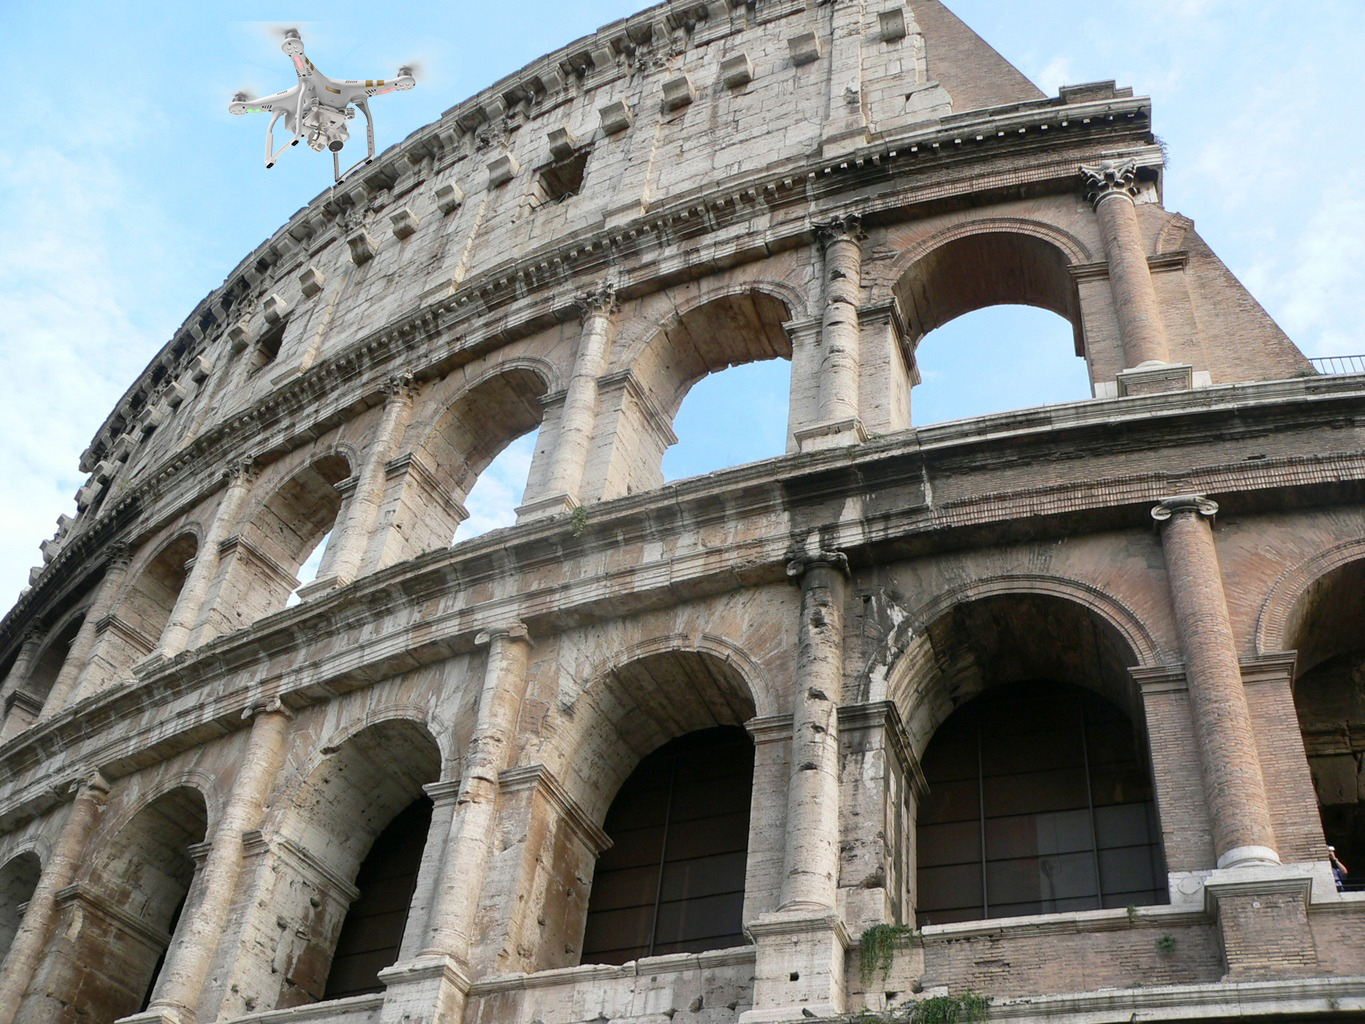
<point>489,412</point>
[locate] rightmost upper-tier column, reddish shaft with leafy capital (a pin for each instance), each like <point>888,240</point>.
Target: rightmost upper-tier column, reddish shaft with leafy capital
<point>1112,188</point>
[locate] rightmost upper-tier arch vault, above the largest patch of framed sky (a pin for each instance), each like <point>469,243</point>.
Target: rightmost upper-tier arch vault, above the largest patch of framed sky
<point>989,263</point>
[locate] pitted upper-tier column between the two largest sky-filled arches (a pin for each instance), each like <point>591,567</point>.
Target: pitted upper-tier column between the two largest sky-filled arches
<point>840,338</point>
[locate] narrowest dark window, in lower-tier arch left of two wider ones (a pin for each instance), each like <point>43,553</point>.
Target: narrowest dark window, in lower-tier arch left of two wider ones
<point>373,929</point>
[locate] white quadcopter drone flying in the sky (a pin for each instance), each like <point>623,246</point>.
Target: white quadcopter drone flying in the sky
<point>319,107</point>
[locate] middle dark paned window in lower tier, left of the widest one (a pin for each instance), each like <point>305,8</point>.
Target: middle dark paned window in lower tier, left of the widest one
<point>674,880</point>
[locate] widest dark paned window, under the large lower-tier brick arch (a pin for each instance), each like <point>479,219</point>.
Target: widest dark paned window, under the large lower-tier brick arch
<point>1039,802</point>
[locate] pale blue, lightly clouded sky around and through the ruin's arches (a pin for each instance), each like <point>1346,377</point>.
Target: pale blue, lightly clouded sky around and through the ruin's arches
<point>129,193</point>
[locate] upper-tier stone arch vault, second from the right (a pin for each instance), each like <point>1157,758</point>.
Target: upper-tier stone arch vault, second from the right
<point>640,402</point>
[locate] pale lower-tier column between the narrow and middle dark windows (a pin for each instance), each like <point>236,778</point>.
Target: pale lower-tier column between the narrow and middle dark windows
<point>470,843</point>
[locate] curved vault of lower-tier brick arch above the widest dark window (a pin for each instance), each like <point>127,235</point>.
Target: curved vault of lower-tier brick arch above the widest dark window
<point>928,683</point>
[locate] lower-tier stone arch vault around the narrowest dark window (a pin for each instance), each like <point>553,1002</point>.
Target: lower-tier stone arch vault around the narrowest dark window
<point>323,832</point>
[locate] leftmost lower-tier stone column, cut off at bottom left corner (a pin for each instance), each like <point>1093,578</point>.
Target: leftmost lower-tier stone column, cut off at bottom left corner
<point>61,870</point>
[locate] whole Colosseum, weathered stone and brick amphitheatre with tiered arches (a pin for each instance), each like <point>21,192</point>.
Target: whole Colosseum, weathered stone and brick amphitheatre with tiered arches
<point>1115,648</point>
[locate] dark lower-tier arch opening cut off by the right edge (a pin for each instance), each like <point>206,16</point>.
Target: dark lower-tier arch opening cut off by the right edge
<point>1327,629</point>
